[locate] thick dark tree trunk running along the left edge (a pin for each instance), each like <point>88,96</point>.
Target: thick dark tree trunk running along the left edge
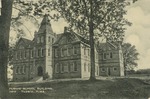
<point>5,19</point>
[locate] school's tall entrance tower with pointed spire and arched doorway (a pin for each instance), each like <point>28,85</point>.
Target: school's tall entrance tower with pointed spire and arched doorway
<point>44,39</point>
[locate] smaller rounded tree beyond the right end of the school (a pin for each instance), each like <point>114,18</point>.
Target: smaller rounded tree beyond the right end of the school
<point>130,56</point>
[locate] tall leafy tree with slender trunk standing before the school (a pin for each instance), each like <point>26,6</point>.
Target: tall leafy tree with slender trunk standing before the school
<point>91,18</point>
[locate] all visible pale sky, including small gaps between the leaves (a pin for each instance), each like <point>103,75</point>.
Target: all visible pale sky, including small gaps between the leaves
<point>138,34</point>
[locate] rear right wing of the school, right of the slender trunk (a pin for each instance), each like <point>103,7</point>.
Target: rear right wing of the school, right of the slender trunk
<point>111,59</point>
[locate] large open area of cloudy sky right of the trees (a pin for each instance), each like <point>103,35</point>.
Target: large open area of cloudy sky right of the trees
<point>139,33</point>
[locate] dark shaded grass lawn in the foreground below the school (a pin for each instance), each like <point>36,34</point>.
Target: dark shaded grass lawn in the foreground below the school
<point>121,88</point>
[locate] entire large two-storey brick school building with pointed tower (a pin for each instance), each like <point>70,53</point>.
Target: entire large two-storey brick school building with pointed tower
<point>65,55</point>
